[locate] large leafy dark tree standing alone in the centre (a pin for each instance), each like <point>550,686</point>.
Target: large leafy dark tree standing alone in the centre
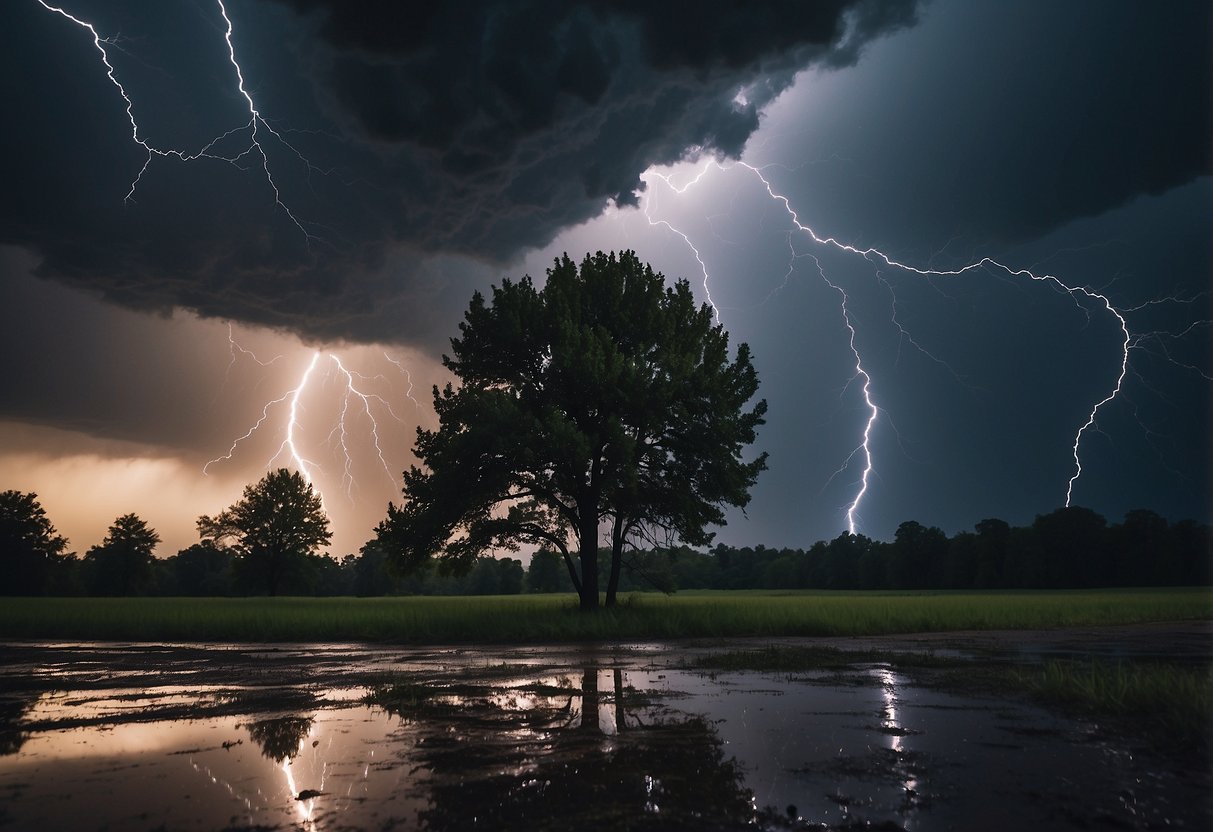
<point>603,403</point>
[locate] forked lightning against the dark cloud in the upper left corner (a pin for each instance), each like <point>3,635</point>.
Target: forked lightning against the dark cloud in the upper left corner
<point>254,128</point>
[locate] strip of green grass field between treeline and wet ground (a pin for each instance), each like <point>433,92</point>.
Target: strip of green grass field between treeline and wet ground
<point>550,619</point>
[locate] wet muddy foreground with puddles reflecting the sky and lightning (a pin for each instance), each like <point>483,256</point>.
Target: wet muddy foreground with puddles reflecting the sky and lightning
<point>123,737</point>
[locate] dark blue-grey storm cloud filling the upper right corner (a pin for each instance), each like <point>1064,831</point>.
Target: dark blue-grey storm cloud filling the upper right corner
<point>999,123</point>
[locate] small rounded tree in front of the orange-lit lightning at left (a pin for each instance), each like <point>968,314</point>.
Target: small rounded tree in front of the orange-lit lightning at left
<point>275,527</point>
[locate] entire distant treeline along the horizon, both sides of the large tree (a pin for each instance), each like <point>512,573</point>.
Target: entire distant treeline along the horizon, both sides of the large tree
<point>1067,549</point>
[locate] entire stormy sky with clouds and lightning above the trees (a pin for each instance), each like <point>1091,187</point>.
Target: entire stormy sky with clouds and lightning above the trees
<point>173,275</point>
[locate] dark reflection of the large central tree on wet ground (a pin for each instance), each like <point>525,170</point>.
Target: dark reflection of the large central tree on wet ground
<point>597,756</point>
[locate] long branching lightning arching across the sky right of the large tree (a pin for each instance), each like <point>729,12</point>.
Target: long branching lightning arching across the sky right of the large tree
<point>881,260</point>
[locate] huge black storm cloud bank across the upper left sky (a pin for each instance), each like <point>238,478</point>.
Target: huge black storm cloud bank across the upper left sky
<point>464,132</point>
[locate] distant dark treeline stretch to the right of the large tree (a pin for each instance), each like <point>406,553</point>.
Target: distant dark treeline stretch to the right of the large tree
<point>1067,549</point>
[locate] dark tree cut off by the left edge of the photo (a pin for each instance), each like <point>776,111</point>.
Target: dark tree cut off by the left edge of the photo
<point>30,546</point>
